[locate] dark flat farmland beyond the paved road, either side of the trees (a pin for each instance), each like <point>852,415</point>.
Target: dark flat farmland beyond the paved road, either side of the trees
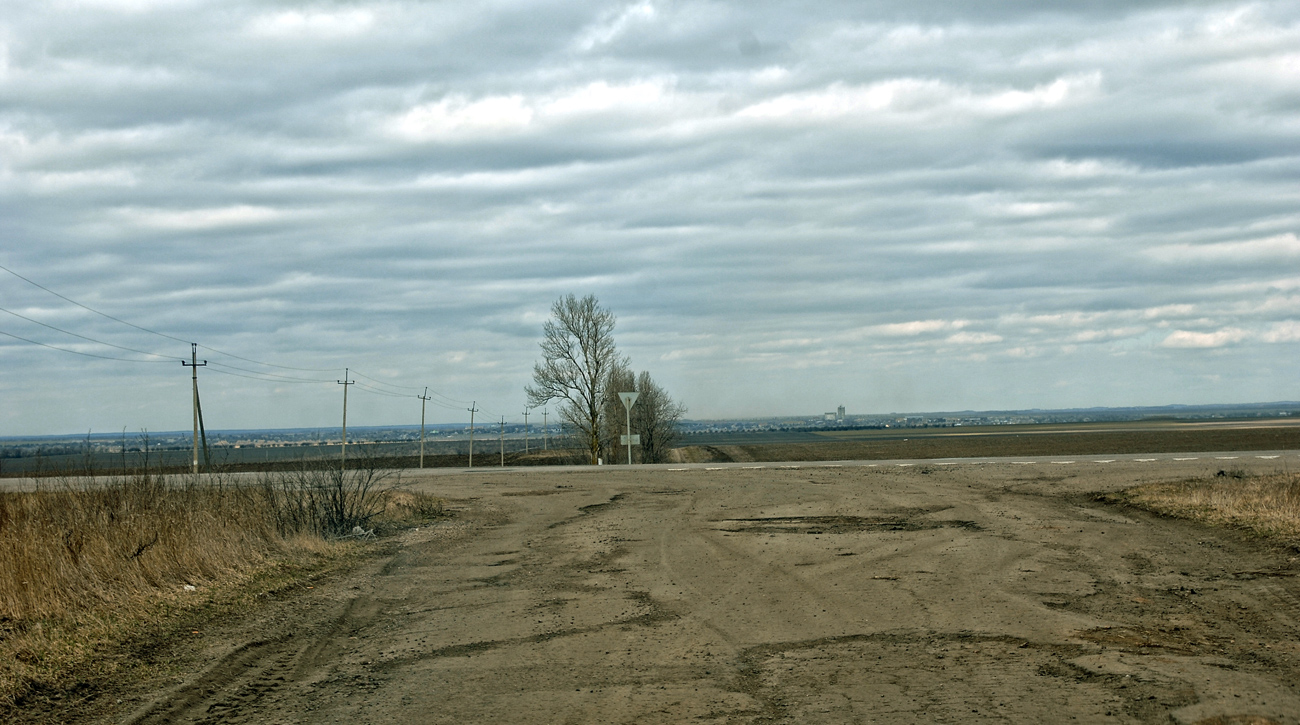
<point>1160,436</point>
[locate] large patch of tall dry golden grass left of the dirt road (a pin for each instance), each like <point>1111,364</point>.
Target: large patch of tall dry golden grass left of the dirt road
<point>88,570</point>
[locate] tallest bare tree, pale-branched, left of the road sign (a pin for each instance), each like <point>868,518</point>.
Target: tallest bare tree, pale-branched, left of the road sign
<point>578,355</point>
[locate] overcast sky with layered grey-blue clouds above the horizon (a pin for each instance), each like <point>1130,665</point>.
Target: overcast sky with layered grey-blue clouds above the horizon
<point>891,206</point>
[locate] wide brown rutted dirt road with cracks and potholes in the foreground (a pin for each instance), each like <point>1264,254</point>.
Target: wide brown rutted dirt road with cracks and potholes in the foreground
<point>817,594</point>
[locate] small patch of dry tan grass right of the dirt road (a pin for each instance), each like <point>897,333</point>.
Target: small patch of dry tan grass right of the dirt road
<point>1268,506</point>
